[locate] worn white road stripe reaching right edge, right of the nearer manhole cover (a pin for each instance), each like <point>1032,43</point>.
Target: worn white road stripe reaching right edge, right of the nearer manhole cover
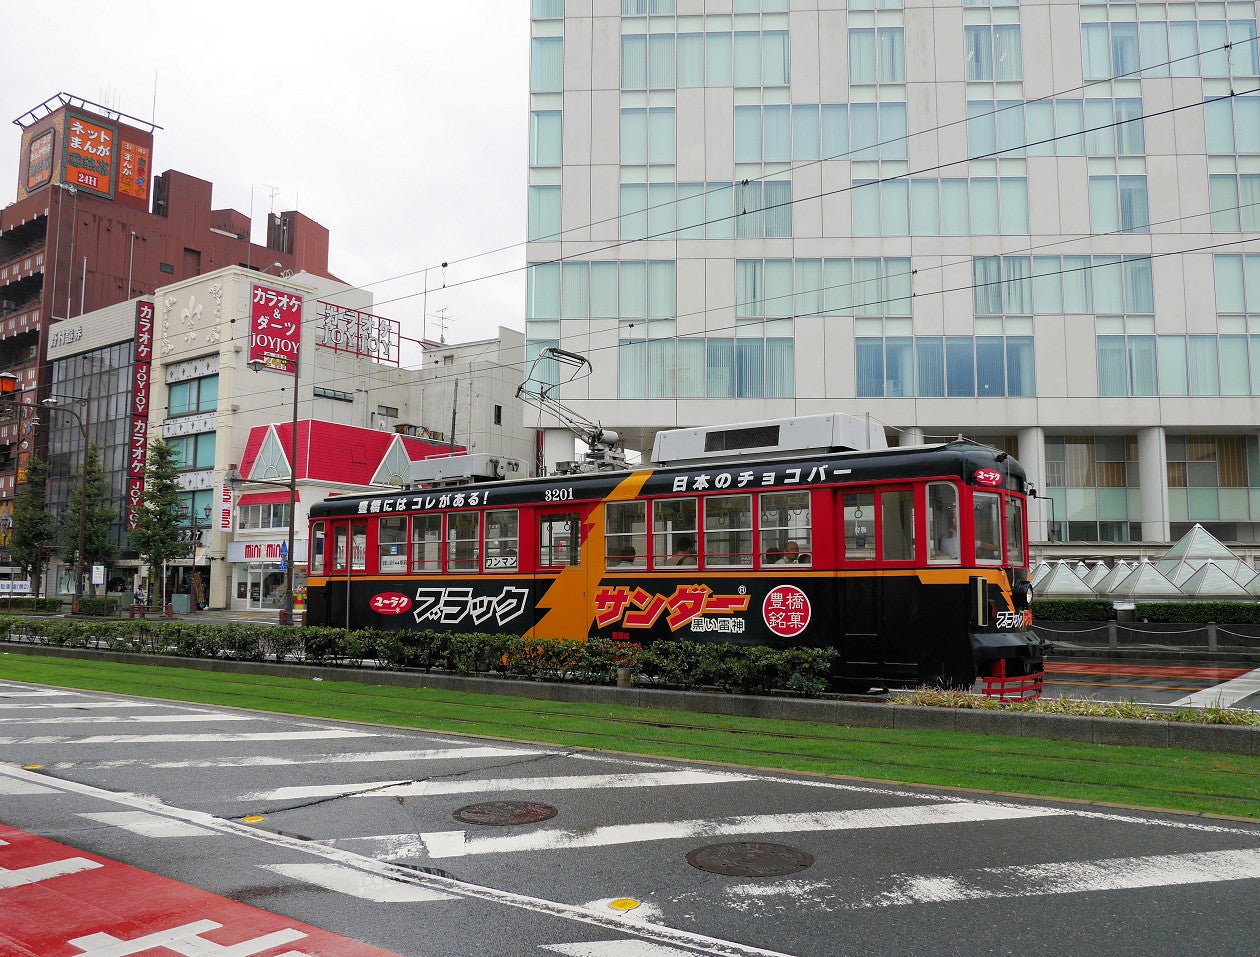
<point>1073,878</point>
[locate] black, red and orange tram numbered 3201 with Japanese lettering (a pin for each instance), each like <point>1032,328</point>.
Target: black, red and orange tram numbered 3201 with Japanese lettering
<point>910,562</point>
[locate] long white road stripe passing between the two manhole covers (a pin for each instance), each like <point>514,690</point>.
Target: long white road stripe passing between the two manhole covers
<point>455,844</point>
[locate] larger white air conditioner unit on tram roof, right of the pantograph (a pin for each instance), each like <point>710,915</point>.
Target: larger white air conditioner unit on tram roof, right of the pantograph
<point>772,439</point>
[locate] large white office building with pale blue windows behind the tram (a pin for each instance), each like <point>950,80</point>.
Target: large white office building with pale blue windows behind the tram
<point>1034,225</point>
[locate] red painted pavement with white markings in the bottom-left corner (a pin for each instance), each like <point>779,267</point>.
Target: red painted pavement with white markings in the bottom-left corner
<point>60,902</point>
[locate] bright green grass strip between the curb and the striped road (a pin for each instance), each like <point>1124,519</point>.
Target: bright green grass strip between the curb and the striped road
<point>1162,779</point>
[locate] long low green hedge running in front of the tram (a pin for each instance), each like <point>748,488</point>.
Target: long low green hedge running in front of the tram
<point>677,664</point>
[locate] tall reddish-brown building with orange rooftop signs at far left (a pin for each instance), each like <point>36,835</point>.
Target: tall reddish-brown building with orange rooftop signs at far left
<point>91,227</point>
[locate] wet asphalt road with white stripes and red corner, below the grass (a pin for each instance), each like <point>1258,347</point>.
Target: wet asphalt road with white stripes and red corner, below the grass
<point>128,825</point>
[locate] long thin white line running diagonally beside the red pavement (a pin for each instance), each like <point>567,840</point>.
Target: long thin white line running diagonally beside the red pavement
<point>660,934</point>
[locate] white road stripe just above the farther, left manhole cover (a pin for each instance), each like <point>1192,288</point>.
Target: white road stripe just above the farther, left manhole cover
<point>421,789</point>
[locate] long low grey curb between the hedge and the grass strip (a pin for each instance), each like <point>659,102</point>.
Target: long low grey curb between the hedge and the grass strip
<point>1128,732</point>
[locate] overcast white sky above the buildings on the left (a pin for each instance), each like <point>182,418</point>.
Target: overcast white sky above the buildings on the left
<point>400,127</point>
